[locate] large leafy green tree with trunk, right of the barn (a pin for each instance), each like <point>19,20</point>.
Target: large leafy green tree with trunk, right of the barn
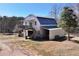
<point>68,20</point>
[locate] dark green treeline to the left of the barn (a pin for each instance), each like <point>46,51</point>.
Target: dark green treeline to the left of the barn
<point>7,24</point>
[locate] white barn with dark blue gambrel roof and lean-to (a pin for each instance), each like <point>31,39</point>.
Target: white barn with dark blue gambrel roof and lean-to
<point>37,27</point>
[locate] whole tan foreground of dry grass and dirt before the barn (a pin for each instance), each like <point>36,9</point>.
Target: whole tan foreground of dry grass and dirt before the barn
<point>17,46</point>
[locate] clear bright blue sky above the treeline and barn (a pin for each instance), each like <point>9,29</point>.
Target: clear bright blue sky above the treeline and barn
<point>24,9</point>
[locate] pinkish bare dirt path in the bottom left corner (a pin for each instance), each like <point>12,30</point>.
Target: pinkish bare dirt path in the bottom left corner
<point>8,50</point>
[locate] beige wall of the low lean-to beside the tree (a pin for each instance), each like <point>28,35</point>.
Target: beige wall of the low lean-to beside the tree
<point>54,32</point>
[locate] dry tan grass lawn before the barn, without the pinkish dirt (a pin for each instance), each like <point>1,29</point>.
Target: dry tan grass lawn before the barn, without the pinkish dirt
<point>44,48</point>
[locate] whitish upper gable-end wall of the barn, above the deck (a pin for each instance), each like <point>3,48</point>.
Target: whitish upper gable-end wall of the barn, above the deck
<point>32,19</point>
